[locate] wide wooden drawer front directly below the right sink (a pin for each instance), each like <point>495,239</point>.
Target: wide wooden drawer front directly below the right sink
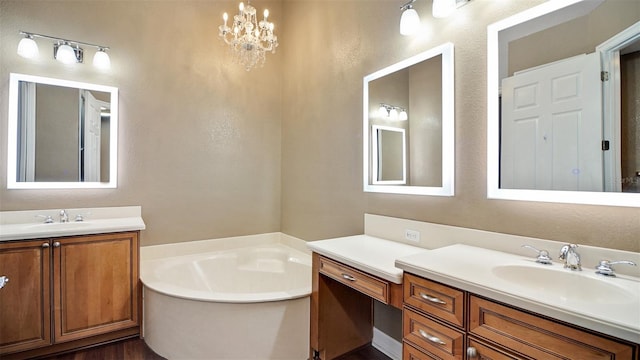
<point>539,338</point>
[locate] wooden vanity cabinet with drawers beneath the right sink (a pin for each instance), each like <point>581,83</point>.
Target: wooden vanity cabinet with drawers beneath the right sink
<point>490,330</point>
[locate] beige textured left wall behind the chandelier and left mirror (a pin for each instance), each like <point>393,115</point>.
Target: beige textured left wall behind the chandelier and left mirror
<point>199,143</point>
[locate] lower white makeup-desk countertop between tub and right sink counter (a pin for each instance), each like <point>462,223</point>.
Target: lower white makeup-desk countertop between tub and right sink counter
<point>367,253</point>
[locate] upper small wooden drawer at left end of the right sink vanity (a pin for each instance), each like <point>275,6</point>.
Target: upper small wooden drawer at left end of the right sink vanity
<point>439,300</point>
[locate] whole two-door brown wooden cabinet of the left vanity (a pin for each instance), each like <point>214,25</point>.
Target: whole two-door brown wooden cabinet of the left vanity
<point>68,292</point>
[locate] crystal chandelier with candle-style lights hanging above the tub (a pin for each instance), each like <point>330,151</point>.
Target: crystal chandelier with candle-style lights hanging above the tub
<point>249,39</point>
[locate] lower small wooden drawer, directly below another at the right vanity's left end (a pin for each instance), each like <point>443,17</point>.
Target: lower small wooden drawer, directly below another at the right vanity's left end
<point>440,340</point>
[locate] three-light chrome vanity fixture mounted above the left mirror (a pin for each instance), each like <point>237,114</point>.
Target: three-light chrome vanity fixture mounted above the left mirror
<point>65,51</point>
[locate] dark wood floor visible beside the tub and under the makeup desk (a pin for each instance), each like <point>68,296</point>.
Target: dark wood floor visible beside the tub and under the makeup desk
<point>136,349</point>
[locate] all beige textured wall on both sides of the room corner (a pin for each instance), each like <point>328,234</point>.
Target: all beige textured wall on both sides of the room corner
<point>209,150</point>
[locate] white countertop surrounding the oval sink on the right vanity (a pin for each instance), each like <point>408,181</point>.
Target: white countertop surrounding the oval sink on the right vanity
<point>473,269</point>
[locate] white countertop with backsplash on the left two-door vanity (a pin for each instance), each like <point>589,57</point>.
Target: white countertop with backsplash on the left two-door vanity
<point>22,225</point>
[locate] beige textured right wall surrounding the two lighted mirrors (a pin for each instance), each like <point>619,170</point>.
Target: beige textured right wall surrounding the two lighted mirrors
<point>322,155</point>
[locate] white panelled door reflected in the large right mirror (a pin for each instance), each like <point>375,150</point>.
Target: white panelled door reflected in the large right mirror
<point>551,127</point>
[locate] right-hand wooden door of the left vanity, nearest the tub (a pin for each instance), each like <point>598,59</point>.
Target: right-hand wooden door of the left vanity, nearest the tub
<point>96,285</point>
